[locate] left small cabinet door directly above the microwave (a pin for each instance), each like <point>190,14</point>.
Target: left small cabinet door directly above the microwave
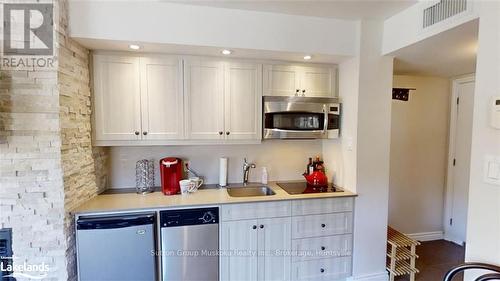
<point>281,80</point>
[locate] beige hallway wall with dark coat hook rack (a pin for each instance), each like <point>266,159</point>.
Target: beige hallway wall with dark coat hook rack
<point>419,149</point>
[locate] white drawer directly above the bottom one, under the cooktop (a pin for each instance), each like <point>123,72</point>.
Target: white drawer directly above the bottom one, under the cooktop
<point>322,247</point>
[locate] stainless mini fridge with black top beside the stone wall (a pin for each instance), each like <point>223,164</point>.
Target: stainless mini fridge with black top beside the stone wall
<point>119,247</point>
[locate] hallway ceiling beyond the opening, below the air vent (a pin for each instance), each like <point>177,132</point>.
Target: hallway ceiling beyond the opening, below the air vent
<point>447,54</point>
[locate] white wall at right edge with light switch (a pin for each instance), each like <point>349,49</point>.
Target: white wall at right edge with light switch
<point>483,226</point>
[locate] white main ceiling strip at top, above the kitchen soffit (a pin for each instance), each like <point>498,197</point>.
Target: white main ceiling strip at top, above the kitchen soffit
<point>342,9</point>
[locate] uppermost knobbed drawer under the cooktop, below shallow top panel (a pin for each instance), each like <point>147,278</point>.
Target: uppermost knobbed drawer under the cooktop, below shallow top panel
<point>321,225</point>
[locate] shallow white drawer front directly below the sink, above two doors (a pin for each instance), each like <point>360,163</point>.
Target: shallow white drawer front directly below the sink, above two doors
<point>255,210</point>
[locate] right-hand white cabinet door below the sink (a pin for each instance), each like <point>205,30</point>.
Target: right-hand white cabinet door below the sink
<point>274,247</point>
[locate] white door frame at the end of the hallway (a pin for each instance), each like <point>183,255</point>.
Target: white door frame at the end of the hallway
<point>448,202</point>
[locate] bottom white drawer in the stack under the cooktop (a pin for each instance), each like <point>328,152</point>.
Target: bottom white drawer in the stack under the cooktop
<point>323,269</point>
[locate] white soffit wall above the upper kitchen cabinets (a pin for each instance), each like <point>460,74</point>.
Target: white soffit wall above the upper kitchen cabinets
<point>170,23</point>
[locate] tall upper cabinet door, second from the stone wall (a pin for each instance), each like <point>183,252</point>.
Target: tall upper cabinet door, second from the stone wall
<point>161,98</point>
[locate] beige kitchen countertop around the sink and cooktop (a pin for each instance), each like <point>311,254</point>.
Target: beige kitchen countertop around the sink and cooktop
<point>214,196</point>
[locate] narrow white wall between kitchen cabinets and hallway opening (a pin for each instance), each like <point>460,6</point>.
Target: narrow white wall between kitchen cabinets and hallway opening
<point>373,149</point>
